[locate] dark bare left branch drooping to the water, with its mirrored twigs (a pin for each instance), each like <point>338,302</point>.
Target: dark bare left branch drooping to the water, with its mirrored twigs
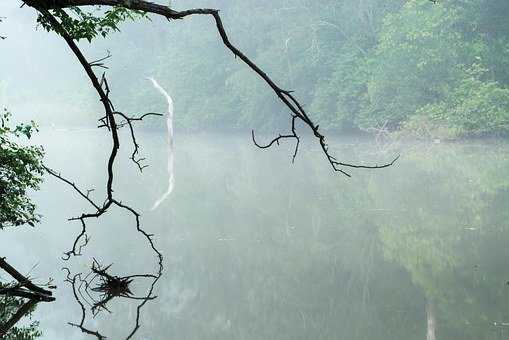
<point>108,121</point>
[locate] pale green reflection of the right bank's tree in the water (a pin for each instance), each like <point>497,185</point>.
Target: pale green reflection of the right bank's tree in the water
<point>451,237</point>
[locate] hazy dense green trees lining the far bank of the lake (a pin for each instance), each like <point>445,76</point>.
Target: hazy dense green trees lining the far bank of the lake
<point>439,69</point>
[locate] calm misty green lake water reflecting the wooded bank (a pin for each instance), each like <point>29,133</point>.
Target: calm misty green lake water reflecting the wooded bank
<point>258,248</point>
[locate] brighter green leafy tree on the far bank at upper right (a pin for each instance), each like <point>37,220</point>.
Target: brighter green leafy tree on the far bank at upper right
<point>431,63</point>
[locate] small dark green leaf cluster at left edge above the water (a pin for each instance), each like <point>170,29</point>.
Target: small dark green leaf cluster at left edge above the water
<point>21,170</point>
